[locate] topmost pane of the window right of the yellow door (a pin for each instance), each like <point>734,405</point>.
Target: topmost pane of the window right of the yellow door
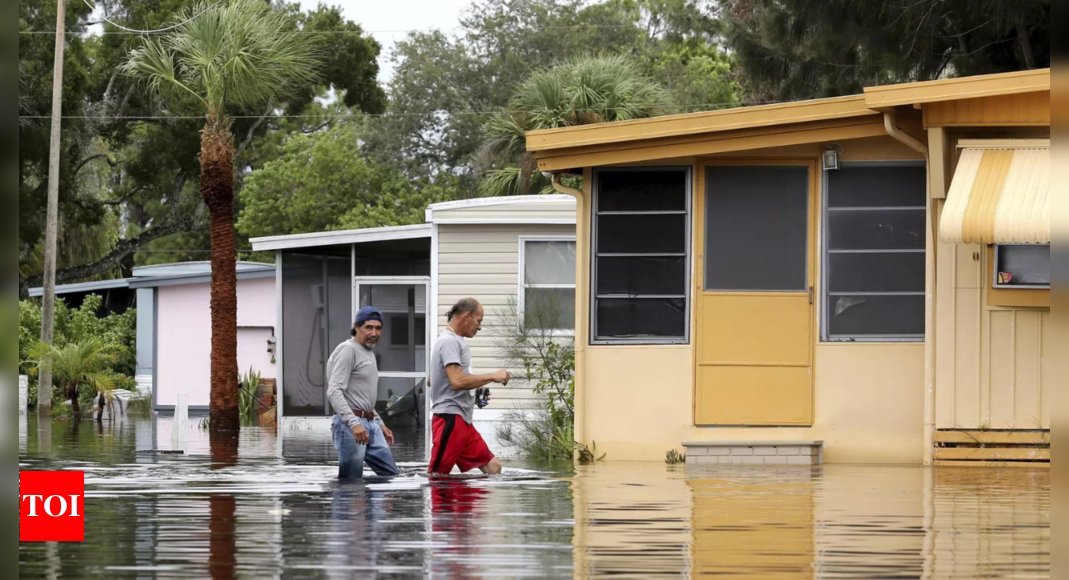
<point>878,187</point>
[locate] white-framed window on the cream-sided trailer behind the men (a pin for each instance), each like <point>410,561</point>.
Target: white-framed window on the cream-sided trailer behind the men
<point>548,297</point>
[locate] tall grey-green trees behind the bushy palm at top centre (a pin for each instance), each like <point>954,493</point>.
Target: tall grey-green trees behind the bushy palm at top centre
<point>448,88</point>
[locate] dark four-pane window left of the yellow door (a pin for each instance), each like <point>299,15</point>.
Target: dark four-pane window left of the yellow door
<point>641,245</point>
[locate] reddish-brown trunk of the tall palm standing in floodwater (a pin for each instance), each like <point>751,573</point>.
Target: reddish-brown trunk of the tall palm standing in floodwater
<point>218,190</point>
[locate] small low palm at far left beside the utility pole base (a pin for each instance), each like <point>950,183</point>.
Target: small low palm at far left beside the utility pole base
<point>75,366</point>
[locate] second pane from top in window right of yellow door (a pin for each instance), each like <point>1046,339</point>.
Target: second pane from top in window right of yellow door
<point>896,230</point>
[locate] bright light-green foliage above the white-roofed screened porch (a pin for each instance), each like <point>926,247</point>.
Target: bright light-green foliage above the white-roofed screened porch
<point>324,182</point>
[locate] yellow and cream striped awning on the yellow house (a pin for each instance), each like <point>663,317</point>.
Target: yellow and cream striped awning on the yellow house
<point>1000,194</point>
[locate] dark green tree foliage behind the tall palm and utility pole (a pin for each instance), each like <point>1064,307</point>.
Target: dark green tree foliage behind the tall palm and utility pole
<point>130,177</point>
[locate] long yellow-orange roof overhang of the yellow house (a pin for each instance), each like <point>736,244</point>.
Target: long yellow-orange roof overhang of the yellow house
<point>675,137</point>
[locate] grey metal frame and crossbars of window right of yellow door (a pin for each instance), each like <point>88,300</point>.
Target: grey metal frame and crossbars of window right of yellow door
<point>826,253</point>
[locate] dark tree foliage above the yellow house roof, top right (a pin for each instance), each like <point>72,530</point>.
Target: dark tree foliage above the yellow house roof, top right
<point>796,50</point>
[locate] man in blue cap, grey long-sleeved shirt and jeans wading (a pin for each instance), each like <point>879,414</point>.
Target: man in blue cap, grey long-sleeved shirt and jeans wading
<point>360,434</point>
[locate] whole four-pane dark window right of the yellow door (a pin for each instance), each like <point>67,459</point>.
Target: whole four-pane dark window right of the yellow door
<point>875,224</point>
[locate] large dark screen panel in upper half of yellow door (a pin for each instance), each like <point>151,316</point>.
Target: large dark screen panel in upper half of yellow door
<point>757,229</point>
